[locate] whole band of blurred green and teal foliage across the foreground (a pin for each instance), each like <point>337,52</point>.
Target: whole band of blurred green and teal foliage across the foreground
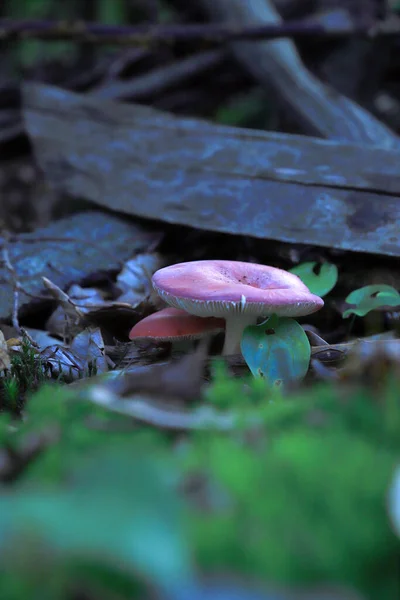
<point>298,499</point>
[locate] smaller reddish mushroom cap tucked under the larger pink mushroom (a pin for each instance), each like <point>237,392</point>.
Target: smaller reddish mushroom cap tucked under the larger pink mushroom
<point>175,325</point>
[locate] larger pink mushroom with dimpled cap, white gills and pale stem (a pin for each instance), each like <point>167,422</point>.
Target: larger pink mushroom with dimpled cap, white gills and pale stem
<point>238,292</point>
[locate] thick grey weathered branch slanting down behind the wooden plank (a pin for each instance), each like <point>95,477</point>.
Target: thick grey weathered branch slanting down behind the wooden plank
<point>318,109</point>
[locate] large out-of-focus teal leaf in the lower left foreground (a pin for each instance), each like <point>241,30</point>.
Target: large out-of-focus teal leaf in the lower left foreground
<point>119,507</point>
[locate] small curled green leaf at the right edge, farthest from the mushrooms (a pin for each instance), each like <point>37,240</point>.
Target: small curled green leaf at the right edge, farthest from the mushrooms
<point>371,297</point>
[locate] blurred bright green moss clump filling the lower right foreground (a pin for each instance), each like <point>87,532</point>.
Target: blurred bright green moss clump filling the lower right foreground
<point>303,499</point>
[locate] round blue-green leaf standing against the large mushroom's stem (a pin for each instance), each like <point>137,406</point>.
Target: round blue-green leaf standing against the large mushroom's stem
<point>277,350</point>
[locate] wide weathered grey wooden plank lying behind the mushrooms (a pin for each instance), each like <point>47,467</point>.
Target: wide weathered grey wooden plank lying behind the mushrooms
<point>147,163</point>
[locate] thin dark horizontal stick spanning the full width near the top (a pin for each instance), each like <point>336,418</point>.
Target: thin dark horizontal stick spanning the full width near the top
<point>212,33</point>
